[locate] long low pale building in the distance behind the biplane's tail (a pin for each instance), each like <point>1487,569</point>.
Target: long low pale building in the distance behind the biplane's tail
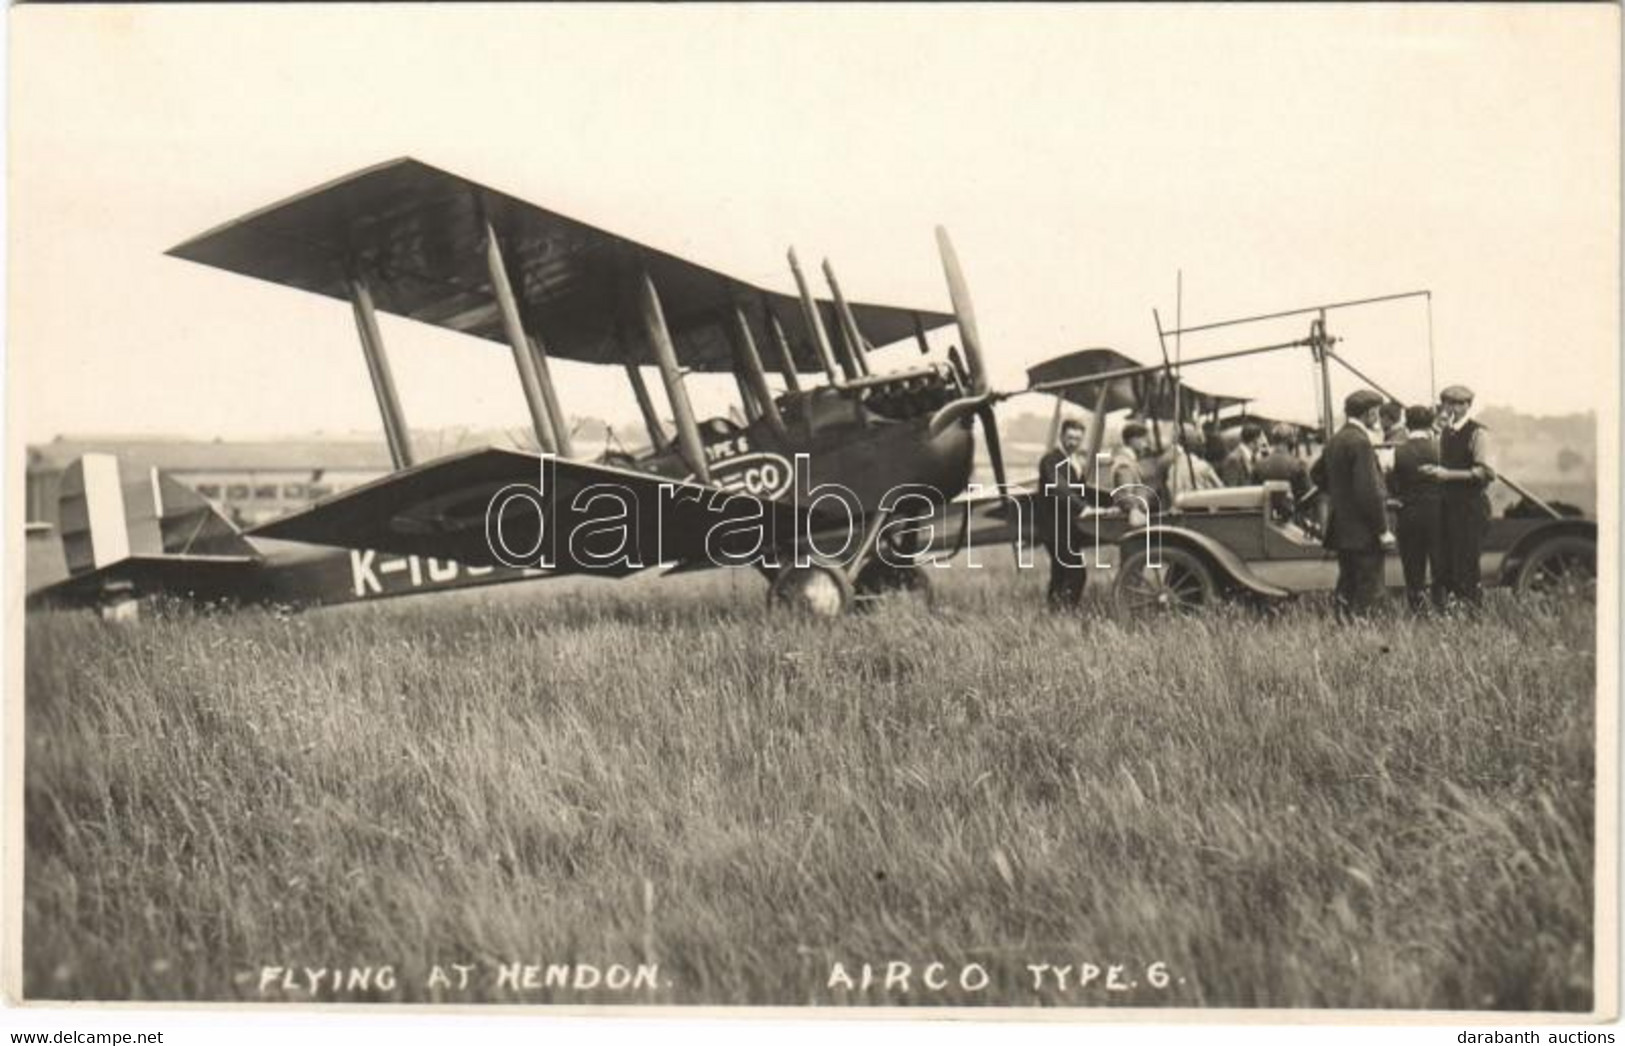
<point>251,482</point>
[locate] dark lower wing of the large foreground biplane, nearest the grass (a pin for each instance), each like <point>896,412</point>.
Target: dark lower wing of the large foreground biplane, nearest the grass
<point>506,508</point>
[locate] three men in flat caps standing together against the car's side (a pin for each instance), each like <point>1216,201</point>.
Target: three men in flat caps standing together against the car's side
<point>1439,478</point>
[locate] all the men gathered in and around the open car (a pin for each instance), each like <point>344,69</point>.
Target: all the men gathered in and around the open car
<point>1437,486</point>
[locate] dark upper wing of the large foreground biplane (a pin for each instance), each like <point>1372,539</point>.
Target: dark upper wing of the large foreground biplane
<point>418,235</point>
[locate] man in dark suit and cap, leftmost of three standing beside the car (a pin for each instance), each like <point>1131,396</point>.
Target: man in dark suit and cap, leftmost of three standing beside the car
<point>1358,527</point>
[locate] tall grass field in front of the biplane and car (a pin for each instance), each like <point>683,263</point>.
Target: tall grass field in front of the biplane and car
<point>1283,811</point>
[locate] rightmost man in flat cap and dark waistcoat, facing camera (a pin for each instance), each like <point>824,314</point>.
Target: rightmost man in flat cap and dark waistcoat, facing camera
<point>1463,473</point>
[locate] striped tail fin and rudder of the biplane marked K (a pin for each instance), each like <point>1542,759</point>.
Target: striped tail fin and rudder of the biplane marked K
<point>111,511</point>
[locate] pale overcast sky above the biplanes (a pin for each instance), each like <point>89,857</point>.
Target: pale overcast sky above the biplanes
<point>1081,158</point>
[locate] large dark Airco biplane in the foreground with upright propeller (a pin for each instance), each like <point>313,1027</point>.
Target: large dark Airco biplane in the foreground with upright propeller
<point>825,483</point>
